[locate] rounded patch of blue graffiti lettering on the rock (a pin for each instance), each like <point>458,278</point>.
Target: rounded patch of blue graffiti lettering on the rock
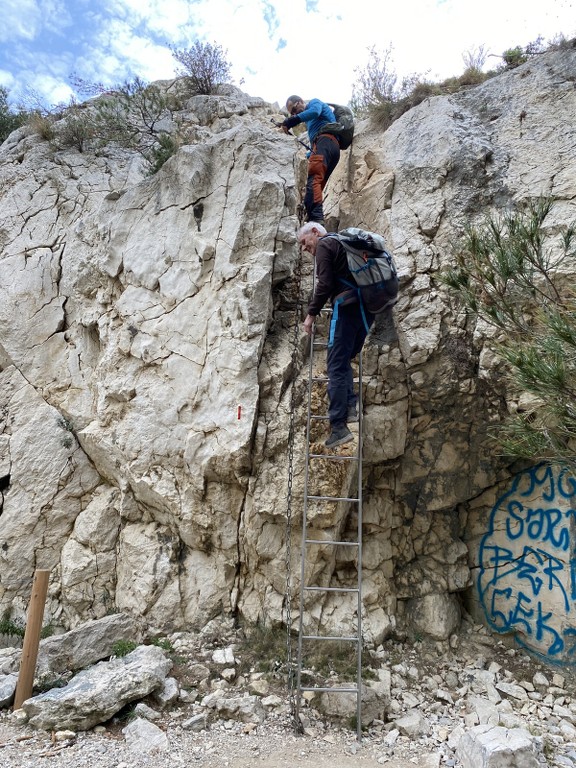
<point>528,564</point>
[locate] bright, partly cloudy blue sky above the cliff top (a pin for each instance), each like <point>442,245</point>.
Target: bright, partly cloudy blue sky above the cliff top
<point>314,48</point>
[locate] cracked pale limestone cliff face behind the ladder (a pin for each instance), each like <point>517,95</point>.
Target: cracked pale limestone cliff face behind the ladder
<point>148,371</point>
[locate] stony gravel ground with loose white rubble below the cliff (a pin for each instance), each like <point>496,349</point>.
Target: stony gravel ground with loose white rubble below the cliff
<point>448,684</point>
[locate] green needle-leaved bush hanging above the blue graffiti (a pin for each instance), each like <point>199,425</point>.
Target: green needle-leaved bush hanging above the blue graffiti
<point>520,281</point>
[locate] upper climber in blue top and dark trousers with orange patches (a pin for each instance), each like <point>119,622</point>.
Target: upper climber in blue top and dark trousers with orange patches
<point>325,150</point>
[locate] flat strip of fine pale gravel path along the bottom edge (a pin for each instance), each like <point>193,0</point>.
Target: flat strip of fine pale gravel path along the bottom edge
<point>272,745</point>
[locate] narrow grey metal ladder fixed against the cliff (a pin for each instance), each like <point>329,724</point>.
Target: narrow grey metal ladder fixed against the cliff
<point>309,543</point>
